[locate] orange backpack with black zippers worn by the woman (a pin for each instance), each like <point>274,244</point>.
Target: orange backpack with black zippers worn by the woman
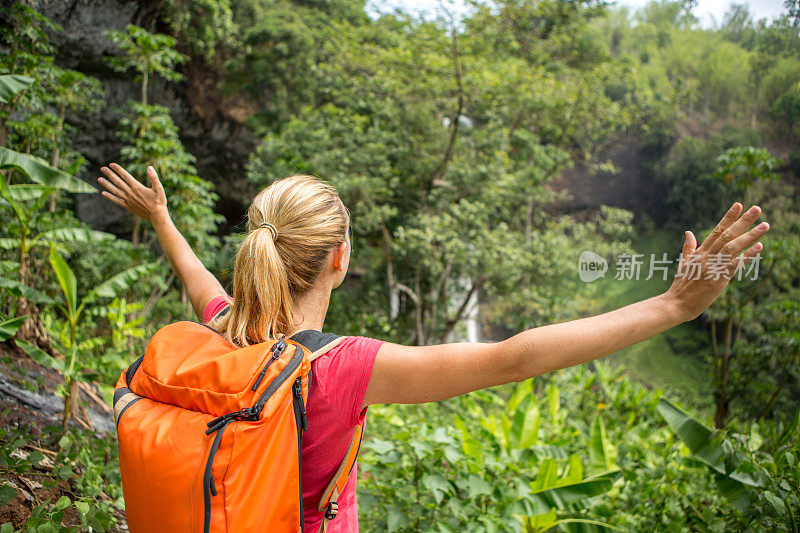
<point>210,434</point>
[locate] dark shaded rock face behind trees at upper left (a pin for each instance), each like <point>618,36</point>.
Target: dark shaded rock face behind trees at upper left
<point>208,127</point>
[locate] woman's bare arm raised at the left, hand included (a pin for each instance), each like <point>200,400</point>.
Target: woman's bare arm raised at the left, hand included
<point>150,203</point>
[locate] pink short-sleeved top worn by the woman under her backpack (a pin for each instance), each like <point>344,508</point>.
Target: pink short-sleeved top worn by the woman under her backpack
<point>334,408</point>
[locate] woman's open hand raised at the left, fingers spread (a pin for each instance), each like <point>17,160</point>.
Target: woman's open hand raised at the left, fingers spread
<point>129,193</point>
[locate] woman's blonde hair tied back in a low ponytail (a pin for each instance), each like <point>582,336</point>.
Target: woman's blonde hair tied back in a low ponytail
<point>274,265</point>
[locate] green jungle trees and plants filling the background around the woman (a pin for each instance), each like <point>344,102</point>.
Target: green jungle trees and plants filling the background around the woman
<point>446,139</point>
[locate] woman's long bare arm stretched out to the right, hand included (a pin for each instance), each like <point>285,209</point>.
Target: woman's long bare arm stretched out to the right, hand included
<point>418,374</point>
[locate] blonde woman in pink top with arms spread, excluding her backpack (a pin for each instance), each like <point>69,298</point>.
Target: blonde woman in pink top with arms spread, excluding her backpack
<point>297,251</point>
